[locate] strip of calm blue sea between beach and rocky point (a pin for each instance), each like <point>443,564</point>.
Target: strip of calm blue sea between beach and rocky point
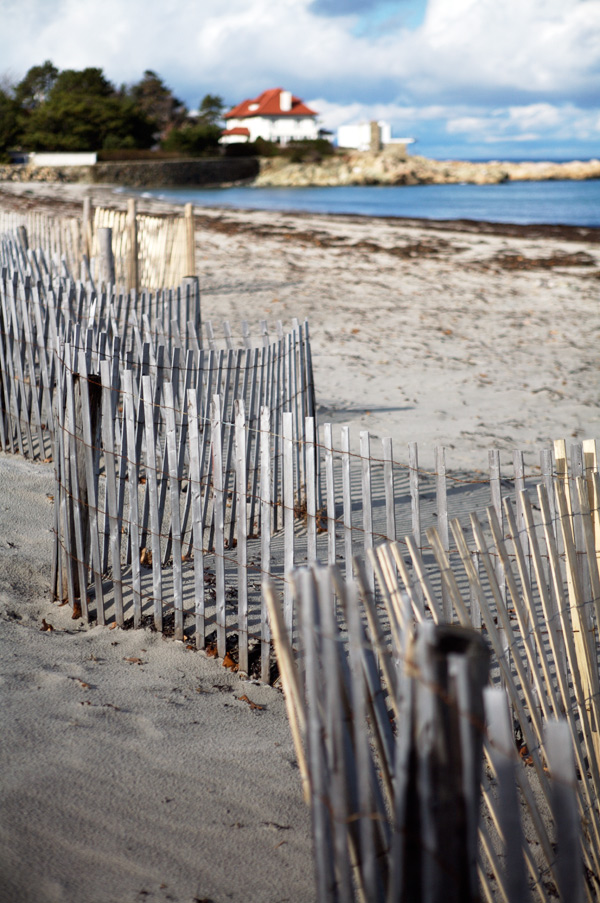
<point>564,202</point>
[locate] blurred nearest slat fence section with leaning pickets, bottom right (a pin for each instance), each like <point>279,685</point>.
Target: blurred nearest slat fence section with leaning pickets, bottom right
<point>389,731</point>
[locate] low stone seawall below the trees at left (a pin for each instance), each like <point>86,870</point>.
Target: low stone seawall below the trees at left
<point>144,174</point>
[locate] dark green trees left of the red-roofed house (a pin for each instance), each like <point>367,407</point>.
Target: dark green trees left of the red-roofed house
<point>80,110</point>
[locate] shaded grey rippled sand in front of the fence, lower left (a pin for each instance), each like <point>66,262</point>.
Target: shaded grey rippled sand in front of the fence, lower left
<point>124,781</point>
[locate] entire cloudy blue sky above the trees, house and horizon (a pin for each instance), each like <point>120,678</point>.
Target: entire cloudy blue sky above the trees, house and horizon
<point>467,78</point>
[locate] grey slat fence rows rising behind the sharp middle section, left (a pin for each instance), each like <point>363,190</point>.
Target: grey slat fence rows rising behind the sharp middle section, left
<point>140,333</point>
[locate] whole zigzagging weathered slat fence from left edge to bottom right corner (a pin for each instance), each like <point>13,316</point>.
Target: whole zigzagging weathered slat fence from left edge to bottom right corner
<point>191,473</point>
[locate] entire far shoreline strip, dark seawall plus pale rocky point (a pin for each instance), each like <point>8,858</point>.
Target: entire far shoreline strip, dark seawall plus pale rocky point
<point>388,167</point>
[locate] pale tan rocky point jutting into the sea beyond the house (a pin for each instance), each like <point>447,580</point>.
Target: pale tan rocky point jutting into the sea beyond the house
<point>393,168</point>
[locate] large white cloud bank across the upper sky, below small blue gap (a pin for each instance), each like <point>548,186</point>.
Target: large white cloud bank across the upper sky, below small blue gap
<point>470,46</point>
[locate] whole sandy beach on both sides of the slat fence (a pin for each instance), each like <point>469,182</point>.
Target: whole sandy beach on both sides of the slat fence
<point>132,769</point>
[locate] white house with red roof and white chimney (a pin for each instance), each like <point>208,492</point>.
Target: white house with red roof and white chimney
<point>275,115</point>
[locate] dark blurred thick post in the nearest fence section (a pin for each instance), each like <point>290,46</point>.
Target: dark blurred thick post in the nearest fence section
<point>449,667</point>
